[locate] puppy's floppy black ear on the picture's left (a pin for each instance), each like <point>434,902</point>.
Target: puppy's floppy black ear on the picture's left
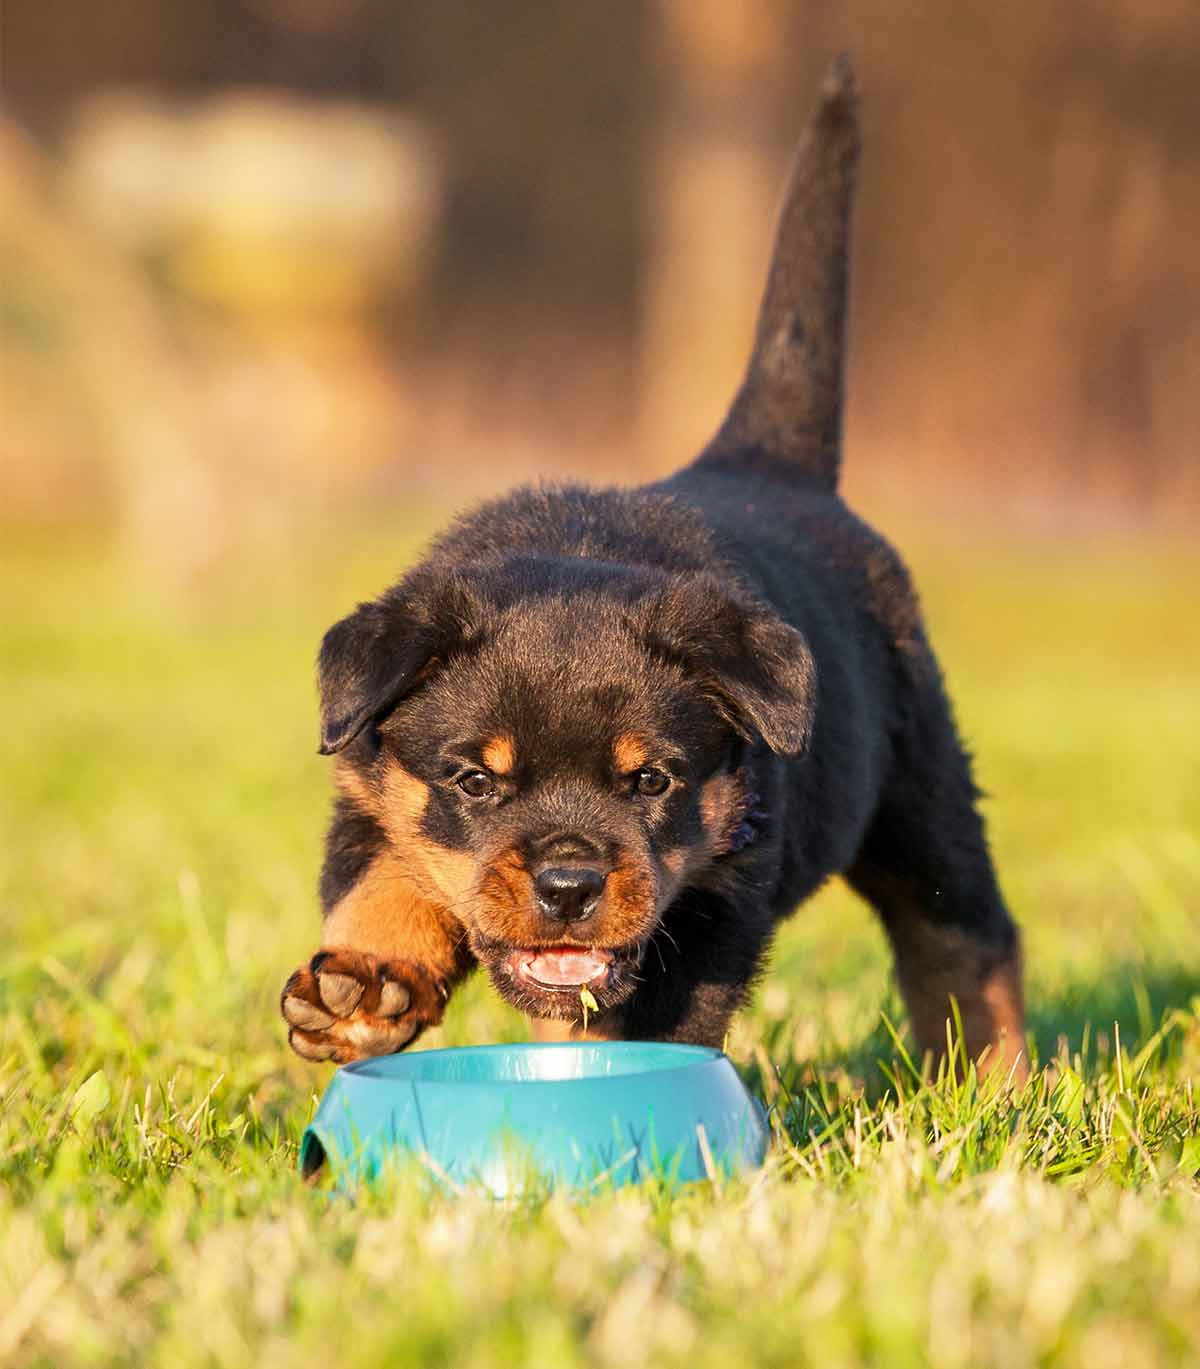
<point>374,658</point>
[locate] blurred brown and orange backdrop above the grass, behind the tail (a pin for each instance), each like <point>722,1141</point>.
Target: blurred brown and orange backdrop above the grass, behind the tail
<point>268,262</point>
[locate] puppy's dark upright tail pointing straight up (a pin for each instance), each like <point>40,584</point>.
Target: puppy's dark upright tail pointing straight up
<point>789,411</point>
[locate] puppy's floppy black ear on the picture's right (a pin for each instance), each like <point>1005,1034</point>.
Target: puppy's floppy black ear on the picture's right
<point>757,669</point>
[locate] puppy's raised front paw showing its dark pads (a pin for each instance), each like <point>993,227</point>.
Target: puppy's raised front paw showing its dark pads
<point>347,1006</point>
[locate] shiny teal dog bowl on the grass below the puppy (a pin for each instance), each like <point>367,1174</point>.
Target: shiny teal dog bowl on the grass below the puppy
<point>512,1118</point>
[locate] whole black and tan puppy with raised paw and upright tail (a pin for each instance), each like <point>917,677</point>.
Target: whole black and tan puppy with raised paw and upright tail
<point>611,739</point>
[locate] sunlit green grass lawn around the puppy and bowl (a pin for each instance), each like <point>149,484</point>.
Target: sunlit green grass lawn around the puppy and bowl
<point>162,817</point>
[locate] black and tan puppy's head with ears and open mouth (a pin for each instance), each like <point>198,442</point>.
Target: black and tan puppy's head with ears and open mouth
<point>552,748</point>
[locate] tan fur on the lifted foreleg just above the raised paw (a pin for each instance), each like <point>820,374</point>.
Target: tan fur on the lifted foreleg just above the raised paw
<point>387,915</point>
